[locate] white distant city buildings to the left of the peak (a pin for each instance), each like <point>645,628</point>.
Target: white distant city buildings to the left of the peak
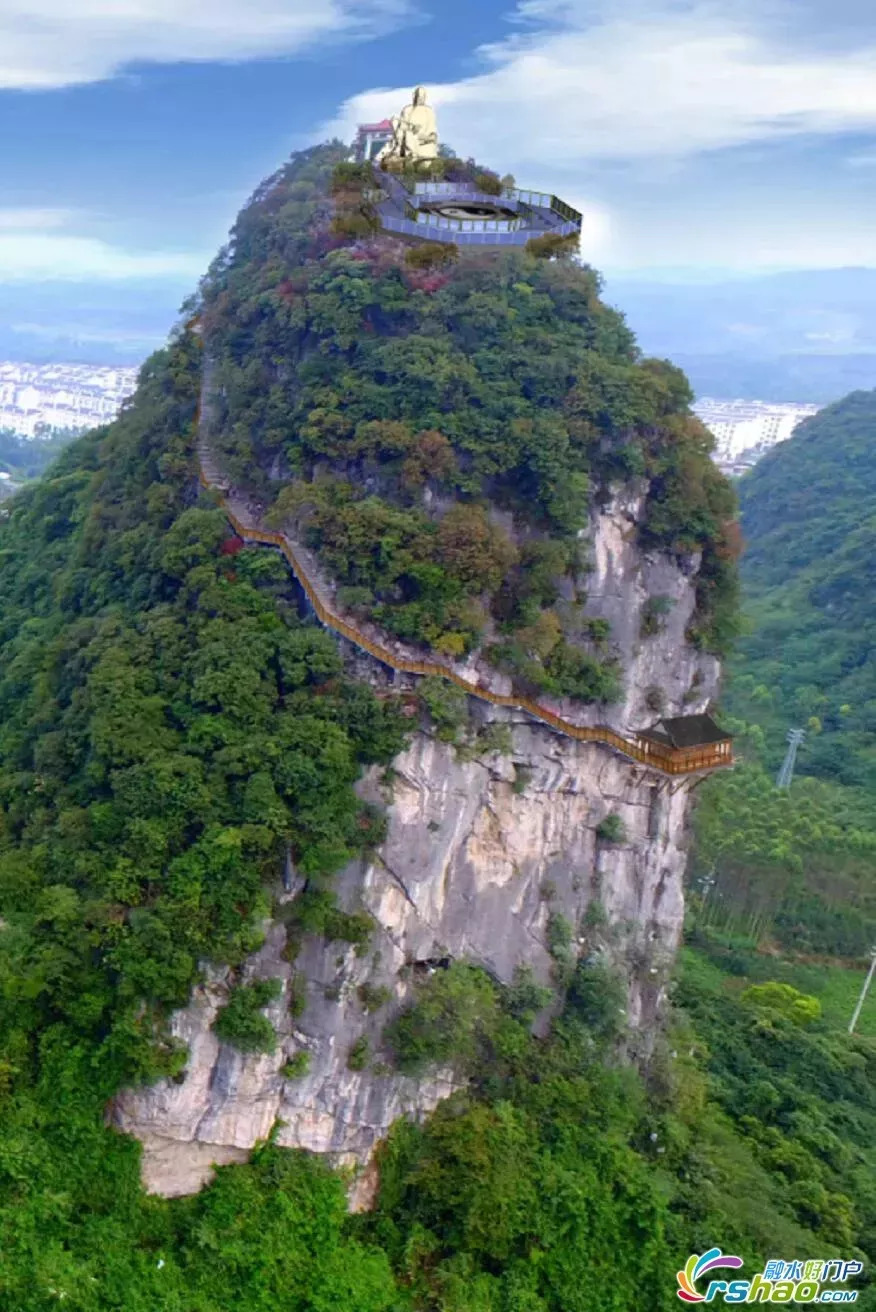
<point>39,400</point>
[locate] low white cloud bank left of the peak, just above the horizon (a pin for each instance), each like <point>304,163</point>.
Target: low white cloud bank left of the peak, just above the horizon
<point>36,249</point>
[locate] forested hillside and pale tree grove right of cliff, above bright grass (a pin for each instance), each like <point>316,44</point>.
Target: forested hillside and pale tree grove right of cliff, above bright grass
<point>797,869</point>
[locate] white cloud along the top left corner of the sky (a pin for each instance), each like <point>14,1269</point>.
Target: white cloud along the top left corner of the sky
<point>48,44</point>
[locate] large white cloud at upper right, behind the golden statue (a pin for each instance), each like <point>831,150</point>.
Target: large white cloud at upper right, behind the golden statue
<point>582,83</point>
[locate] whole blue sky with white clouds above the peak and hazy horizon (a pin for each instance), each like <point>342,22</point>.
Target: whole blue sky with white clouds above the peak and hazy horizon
<point>697,137</point>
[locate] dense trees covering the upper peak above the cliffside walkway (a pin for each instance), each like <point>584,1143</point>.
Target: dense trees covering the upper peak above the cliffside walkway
<point>402,397</point>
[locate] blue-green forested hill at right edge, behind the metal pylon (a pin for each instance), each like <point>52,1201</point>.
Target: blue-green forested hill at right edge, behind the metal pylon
<point>810,524</point>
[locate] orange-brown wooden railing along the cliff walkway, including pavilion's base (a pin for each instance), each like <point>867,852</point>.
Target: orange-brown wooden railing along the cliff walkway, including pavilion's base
<point>667,760</point>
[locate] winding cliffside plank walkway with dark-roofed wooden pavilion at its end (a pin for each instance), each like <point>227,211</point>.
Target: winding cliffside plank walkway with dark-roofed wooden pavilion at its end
<point>681,747</point>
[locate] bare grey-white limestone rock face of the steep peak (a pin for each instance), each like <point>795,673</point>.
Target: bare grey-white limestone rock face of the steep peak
<point>478,857</point>
